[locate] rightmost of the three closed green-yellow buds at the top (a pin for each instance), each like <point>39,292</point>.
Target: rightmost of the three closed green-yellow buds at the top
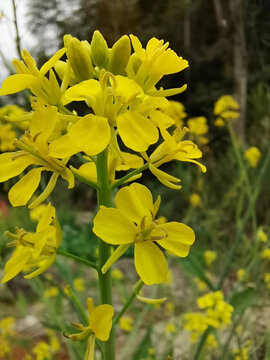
<point>119,56</point>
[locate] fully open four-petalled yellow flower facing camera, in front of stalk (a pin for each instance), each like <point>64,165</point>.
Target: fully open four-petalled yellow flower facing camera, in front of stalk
<point>133,222</point>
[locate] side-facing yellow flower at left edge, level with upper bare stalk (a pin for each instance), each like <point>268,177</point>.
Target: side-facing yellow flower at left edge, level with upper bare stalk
<point>34,151</point>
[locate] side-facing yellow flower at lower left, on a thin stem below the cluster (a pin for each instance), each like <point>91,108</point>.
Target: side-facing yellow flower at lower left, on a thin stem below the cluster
<point>35,252</point>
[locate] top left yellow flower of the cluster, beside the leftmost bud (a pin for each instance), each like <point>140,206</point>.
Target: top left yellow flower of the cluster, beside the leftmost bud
<point>28,76</point>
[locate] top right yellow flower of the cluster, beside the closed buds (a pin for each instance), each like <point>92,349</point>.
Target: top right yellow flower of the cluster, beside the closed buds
<point>148,66</point>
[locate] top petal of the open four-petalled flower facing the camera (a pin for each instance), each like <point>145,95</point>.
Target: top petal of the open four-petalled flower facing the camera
<point>135,201</point>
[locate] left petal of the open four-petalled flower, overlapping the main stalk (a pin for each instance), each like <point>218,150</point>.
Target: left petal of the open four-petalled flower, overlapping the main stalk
<point>113,227</point>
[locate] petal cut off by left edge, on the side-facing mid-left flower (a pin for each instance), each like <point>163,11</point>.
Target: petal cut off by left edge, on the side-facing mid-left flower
<point>11,165</point>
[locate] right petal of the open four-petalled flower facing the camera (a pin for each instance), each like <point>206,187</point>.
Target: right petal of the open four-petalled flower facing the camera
<point>179,238</point>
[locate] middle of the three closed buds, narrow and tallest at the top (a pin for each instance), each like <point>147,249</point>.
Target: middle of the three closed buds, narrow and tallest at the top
<point>99,50</point>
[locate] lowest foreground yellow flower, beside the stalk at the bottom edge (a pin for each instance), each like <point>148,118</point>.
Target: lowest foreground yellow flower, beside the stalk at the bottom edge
<point>99,326</point>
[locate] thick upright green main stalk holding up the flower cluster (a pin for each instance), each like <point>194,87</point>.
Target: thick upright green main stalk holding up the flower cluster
<point>105,283</point>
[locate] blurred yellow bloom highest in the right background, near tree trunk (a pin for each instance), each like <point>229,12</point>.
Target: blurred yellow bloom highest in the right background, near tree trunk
<point>226,108</point>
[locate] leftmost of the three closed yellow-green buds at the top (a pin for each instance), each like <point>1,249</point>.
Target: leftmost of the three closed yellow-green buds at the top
<point>79,58</point>
